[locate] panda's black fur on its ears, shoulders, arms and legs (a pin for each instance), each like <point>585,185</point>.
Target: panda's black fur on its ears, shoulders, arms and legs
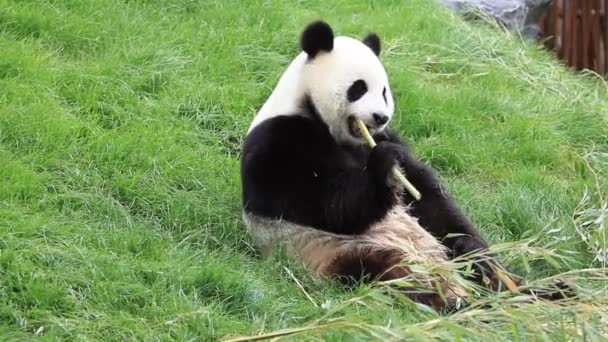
<point>294,172</point>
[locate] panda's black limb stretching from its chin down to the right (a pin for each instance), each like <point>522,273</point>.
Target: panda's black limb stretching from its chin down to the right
<point>436,211</point>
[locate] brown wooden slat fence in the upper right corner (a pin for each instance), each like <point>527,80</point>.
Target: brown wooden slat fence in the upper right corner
<point>577,30</point>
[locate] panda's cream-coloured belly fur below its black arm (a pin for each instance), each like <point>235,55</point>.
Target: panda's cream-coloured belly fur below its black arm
<point>397,231</point>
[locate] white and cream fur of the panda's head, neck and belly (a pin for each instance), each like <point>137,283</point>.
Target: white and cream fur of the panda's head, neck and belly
<point>324,81</point>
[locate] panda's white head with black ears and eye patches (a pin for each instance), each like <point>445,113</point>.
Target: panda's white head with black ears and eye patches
<point>344,79</point>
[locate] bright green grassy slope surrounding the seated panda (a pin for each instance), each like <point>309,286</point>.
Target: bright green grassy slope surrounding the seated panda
<point>120,128</point>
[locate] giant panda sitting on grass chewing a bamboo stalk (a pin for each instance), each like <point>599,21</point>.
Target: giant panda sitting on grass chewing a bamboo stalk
<point>311,185</point>
